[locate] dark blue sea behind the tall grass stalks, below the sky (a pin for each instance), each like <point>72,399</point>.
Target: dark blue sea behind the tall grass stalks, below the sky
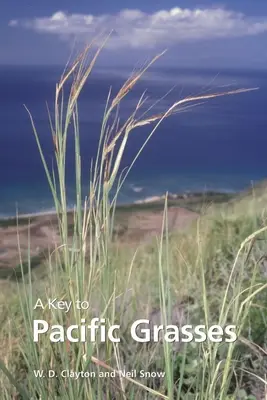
<point>217,145</point>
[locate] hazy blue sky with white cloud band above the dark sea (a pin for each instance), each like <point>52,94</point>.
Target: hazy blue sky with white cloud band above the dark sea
<point>195,33</point>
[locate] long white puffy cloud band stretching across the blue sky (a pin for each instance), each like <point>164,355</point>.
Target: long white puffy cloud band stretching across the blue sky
<point>136,29</point>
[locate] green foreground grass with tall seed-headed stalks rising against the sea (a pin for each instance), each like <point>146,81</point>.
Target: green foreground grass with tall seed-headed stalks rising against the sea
<point>212,275</point>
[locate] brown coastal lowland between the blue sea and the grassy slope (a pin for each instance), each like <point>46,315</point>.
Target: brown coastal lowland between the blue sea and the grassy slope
<point>134,222</point>
